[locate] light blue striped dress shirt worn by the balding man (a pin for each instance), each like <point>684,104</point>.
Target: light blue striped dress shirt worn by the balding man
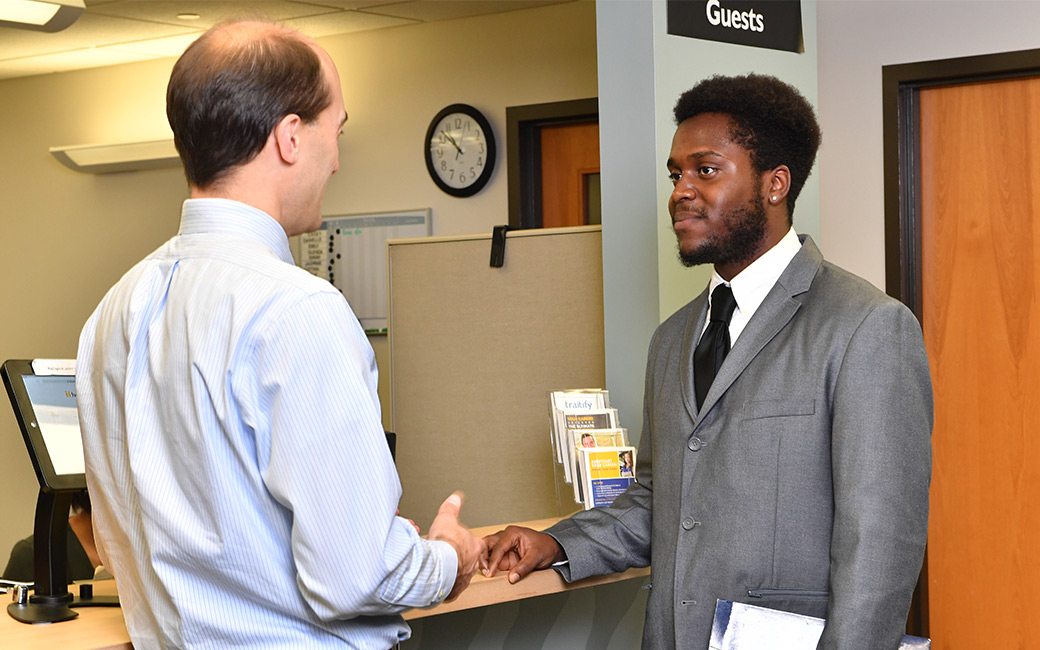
<point>244,492</point>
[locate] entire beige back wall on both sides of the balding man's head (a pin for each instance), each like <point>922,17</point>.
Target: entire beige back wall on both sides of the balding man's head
<point>67,237</point>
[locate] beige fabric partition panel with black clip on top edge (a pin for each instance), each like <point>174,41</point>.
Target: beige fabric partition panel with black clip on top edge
<point>474,352</point>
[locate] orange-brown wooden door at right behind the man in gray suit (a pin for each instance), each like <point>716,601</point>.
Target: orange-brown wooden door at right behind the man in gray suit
<point>980,226</point>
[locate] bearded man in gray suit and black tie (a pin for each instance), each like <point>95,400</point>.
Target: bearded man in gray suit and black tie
<point>798,479</point>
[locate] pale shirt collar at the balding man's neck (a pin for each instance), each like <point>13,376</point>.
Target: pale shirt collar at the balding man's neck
<point>225,216</point>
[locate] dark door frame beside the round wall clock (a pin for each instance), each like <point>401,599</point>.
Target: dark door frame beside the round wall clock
<point>524,147</point>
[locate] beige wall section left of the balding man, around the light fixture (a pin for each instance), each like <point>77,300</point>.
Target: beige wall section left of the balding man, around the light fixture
<point>67,238</point>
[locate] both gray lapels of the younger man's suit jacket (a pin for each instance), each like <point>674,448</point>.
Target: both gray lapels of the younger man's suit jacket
<point>774,315</point>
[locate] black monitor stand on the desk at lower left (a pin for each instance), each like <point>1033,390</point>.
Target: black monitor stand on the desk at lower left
<point>51,602</point>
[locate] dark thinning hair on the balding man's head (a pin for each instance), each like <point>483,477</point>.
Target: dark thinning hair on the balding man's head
<point>232,87</point>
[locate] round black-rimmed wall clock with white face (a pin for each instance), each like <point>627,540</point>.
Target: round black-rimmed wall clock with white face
<point>460,150</point>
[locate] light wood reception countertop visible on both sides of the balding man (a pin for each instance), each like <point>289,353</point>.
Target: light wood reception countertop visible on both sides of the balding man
<point>102,629</point>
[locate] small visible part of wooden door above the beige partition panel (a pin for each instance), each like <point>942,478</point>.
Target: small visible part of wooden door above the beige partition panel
<point>570,160</point>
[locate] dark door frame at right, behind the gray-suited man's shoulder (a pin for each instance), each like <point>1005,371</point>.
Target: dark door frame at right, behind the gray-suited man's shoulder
<point>901,116</point>
